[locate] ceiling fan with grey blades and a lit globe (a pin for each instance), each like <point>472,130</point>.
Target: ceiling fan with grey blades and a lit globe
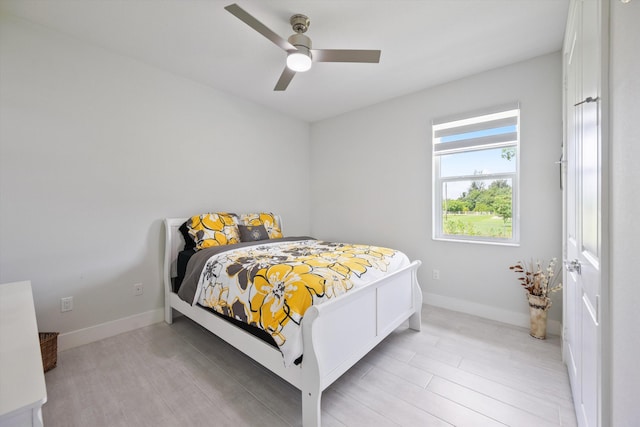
<point>300,55</point>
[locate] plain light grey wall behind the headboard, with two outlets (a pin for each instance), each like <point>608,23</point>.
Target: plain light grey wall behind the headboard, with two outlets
<point>96,148</point>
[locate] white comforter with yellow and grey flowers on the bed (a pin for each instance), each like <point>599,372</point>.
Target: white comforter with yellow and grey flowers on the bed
<point>271,285</point>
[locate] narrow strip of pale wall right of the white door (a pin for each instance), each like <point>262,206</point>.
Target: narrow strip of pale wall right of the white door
<point>625,206</point>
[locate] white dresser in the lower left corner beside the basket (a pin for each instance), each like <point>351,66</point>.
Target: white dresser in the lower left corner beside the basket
<point>22,387</point>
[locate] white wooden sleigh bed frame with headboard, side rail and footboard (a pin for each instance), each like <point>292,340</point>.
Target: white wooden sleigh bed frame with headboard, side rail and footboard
<point>336,334</point>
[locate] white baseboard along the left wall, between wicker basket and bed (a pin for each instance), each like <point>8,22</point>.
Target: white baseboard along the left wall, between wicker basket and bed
<point>72,339</point>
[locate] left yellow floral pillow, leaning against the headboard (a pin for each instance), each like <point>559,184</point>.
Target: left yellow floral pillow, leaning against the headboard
<point>213,229</point>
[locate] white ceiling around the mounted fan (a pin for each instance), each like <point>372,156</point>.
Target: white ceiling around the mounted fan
<point>423,42</point>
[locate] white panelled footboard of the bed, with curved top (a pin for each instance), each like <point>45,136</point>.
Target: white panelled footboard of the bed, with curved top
<point>337,334</point>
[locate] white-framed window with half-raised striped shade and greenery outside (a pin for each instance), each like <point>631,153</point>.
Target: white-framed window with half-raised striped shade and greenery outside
<point>475,176</point>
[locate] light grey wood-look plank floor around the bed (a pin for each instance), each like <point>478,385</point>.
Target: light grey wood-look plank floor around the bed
<point>459,370</point>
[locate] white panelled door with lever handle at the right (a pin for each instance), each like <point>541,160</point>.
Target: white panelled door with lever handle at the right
<point>583,242</point>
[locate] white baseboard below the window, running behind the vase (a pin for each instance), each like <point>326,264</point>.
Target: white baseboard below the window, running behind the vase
<point>505,316</point>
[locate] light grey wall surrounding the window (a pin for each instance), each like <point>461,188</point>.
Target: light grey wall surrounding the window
<point>371,182</point>
